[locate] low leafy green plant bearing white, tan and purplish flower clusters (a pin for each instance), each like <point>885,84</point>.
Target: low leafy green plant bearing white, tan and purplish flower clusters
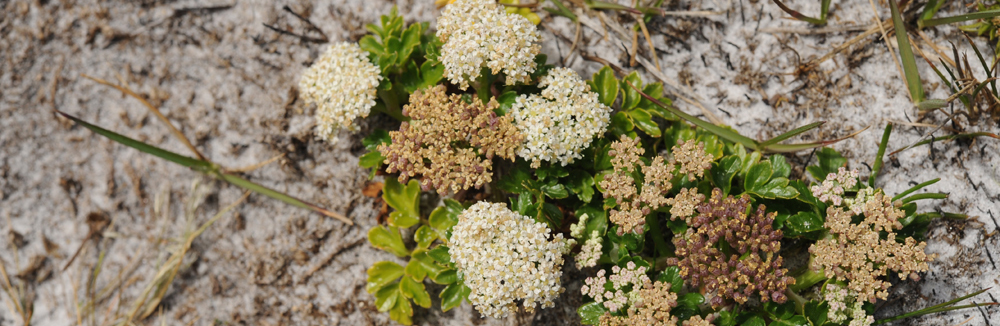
<point>674,218</point>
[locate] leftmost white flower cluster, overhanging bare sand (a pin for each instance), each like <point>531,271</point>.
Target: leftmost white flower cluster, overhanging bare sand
<point>342,83</point>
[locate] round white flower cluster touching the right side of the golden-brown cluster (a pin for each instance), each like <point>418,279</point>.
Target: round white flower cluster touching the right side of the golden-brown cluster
<point>561,122</point>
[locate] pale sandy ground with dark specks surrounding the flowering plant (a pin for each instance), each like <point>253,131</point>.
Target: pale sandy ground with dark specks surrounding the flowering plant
<point>229,84</point>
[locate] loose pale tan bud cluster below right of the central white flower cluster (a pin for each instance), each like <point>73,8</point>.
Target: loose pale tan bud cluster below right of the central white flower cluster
<point>620,185</point>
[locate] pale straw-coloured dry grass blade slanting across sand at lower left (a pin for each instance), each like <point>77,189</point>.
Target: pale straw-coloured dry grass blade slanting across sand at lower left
<point>146,305</point>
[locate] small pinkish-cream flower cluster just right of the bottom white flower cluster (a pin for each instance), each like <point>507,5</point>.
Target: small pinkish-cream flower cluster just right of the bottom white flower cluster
<point>629,280</point>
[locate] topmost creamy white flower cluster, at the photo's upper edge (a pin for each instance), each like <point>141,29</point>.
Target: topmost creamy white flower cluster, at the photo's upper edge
<point>477,33</point>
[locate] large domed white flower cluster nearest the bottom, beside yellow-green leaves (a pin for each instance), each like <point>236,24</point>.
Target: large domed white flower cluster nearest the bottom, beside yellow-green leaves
<point>504,256</point>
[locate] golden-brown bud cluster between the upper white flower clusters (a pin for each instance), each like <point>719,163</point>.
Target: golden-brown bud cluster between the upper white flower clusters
<point>449,142</point>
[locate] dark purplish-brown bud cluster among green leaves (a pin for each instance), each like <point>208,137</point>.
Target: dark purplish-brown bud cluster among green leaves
<point>753,265</point>
